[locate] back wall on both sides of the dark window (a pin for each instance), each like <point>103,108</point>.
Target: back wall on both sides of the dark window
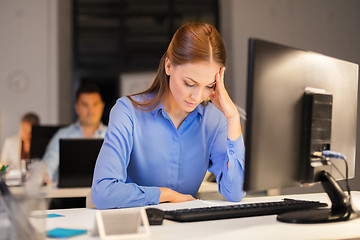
<point>35,48</point>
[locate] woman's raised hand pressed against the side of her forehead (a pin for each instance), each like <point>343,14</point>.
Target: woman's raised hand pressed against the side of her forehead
<point>221,99</point>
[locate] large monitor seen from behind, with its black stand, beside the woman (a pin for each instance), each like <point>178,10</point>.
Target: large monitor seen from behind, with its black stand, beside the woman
<point>299,103</point>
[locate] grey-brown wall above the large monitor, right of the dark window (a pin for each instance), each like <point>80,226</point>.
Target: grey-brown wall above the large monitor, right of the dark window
<point>331,27</point>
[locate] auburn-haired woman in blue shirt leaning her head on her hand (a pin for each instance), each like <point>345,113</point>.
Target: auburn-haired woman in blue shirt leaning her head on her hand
<point>160,143</point>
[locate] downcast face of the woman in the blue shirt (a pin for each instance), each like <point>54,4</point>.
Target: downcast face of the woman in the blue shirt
<point>191,83</point>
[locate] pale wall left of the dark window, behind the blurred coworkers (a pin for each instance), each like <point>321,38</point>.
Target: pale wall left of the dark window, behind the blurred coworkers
<point>31,63</point>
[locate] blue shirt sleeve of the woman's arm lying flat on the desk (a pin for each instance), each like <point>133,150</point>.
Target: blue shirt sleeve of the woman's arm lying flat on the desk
<point>111,187</point>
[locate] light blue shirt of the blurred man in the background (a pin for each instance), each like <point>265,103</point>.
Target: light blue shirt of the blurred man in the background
<point>51,156</point>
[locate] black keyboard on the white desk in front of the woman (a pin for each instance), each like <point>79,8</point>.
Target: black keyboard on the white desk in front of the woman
<point>240,210</point>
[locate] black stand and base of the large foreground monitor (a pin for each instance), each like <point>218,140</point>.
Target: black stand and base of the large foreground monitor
<point>341,208</point>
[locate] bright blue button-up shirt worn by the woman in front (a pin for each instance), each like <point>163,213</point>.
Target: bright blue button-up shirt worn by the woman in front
<point>143,150</point>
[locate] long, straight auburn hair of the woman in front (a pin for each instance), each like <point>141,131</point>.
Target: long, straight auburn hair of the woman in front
<point>192,42</point>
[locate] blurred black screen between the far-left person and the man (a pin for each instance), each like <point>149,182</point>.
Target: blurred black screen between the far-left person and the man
<point>40,138</point>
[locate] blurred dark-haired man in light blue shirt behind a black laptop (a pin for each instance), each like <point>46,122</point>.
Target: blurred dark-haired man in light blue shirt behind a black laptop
<point>89,107</point>
